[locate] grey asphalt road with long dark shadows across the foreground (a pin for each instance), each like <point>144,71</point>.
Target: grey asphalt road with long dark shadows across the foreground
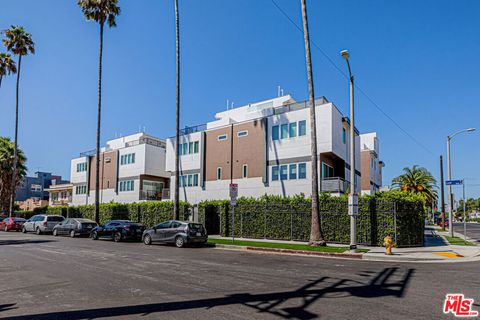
<point>43,277</point>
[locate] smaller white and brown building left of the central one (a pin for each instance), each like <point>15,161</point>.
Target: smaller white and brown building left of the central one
<point>132,169</point>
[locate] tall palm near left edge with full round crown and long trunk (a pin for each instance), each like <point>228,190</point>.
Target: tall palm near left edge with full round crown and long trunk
<point>20,43</point>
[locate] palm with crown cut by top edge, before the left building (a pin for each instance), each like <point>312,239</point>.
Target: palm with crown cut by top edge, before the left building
<point>100,11</point>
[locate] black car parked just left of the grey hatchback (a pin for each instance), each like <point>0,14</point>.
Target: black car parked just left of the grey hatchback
<point>119,230</point>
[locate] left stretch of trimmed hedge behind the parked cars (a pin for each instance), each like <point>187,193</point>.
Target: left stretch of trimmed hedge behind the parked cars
<point>147,213</point>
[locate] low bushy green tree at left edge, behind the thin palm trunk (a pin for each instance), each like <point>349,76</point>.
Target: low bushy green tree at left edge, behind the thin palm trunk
<point>6,168</point>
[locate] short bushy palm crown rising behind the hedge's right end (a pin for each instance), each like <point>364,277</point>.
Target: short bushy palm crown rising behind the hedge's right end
<point>417,180</point>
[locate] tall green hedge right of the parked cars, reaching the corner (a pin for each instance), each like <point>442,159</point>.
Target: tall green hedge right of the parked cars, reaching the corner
<point>289,218</point>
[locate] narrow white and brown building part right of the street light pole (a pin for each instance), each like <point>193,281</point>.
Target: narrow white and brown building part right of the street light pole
<point>371,164</point>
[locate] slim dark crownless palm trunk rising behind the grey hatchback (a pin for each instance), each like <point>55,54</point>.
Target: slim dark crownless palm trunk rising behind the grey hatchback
<point>176,204</point>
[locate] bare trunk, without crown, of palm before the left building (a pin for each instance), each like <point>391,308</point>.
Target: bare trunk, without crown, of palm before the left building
<point>99,115</point>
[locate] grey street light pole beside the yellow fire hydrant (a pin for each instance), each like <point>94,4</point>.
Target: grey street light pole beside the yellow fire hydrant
<point>353,203</point>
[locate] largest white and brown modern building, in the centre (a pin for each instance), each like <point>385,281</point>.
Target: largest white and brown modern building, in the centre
<point>264,147</point>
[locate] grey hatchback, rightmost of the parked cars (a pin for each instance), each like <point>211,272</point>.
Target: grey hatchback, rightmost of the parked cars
<point>177,232</point>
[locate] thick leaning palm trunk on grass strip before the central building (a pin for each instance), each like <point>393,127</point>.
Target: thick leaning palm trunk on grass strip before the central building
<point>316,234</point>
